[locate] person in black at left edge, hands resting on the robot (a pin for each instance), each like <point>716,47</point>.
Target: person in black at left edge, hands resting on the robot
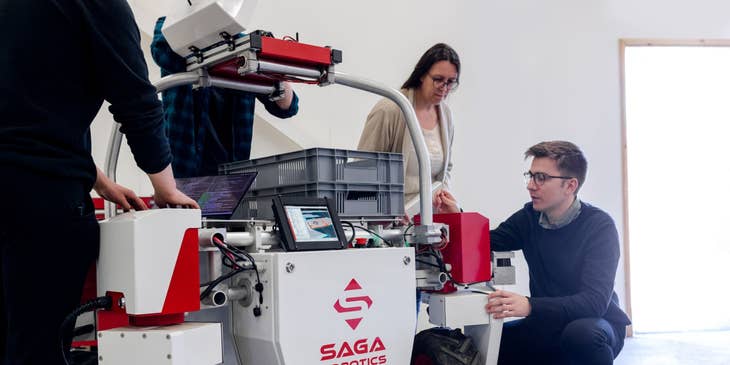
<point>59,60</point>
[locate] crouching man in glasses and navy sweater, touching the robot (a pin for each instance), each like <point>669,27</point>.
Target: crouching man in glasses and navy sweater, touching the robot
<point>572,315</point>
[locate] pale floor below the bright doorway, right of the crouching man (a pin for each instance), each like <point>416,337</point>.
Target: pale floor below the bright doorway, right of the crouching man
<point>677,348</point>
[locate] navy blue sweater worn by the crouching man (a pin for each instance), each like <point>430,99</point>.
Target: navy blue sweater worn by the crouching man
<point>572,269</point>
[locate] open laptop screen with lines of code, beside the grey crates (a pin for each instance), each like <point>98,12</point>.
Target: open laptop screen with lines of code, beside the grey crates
<point>218,196</point>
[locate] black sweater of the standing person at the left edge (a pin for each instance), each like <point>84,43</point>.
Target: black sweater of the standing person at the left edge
<point>59,60</point>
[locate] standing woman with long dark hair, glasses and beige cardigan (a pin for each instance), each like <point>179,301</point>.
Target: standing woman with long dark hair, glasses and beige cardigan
<point>435,75</point>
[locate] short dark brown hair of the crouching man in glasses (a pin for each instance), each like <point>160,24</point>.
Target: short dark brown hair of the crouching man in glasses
<point>569,158</point>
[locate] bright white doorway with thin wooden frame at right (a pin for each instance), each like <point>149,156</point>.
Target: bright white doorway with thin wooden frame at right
<point>677,184</point>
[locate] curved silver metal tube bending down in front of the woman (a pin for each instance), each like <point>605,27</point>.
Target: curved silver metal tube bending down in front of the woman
<point>419,143</point>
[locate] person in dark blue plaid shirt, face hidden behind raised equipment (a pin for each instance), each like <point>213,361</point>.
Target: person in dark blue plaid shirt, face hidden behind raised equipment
<point>209,126</point>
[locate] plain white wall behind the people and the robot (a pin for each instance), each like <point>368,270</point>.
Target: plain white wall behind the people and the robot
<point>532,70</point>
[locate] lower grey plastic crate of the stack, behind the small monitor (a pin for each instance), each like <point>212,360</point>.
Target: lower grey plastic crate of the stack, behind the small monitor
<point>350,200</point>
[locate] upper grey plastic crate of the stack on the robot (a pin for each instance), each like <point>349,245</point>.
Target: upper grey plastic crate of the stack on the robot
<point>316,165</point>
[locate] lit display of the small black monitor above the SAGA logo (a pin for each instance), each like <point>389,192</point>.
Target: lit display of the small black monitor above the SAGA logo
<point>310,223</point>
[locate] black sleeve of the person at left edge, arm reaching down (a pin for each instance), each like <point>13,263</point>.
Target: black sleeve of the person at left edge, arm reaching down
<point>121,72</point>
